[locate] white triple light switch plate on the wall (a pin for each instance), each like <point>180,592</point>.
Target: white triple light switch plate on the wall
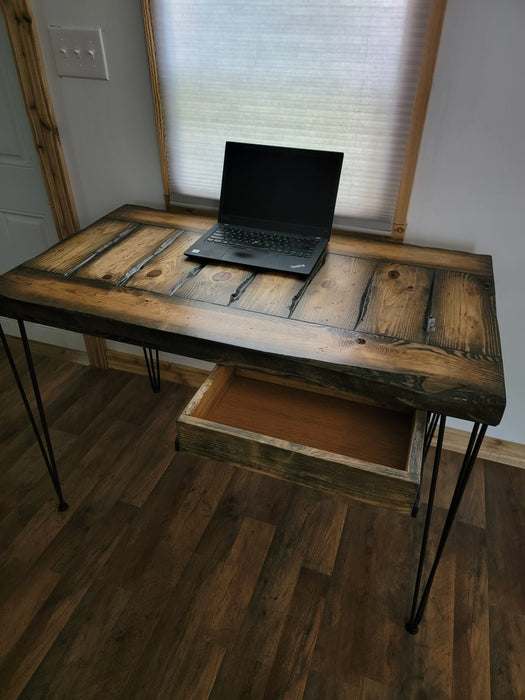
<point>79,53</point>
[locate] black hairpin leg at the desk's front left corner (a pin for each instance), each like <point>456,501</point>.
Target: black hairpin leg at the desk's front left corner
<point>42,436</point>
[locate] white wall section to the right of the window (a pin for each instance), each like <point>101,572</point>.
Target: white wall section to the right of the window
<point>469,191</point>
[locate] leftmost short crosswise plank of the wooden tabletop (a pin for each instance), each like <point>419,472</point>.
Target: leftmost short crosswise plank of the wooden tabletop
<point>76,250</point>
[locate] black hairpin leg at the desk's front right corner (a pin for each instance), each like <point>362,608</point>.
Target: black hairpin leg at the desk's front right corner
<point>476,438</point>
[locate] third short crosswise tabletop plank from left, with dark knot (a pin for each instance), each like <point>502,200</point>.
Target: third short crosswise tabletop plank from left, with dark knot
<point>167,270</point>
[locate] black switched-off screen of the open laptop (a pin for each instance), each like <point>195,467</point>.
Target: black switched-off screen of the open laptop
<point>279,188</point>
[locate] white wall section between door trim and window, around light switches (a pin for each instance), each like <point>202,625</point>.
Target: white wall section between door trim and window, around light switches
<point>107,128</point>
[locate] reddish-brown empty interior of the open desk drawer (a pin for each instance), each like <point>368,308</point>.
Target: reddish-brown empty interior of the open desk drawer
<point>344,426</point>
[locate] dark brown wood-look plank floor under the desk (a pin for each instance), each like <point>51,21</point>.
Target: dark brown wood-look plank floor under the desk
<point>175,577</point>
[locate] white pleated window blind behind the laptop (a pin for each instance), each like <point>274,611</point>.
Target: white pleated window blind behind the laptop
<point>306,73</point>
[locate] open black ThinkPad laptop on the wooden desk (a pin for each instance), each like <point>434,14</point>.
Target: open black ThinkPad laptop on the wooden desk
<point>276,208</point>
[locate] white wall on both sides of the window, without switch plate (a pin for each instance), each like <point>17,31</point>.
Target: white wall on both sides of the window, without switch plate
<point>469,190</point>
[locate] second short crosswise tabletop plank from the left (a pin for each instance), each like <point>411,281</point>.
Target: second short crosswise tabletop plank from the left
<point>117,264</point>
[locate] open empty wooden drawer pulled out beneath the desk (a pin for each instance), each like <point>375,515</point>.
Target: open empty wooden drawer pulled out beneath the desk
<point>338,443</point>
